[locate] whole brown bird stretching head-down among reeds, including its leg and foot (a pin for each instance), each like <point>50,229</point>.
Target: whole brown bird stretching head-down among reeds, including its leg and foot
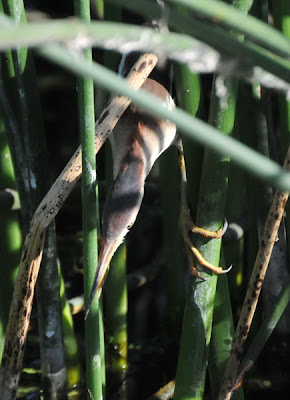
<point>137,142</point>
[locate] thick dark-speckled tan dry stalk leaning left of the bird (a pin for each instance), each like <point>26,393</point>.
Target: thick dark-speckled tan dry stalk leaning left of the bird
<point>33,246</point>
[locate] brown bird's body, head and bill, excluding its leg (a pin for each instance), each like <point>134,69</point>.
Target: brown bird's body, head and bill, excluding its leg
<point>137,141</point>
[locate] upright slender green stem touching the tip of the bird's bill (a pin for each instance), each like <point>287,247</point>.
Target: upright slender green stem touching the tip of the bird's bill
<point>93,325</point>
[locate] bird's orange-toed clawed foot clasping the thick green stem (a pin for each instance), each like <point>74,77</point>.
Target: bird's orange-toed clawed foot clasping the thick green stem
<point>187,225</point>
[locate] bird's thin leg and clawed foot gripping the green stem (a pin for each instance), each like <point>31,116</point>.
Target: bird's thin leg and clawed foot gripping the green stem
<point>186,225</point>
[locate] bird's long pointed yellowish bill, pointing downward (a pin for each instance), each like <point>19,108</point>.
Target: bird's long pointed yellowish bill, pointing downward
<point>108,249</point>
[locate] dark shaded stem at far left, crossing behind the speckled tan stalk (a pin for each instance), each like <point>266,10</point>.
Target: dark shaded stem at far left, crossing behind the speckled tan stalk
<point>27,142</point>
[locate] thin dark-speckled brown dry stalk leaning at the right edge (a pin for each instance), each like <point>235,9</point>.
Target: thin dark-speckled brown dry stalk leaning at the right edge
<point>250,303</point>
